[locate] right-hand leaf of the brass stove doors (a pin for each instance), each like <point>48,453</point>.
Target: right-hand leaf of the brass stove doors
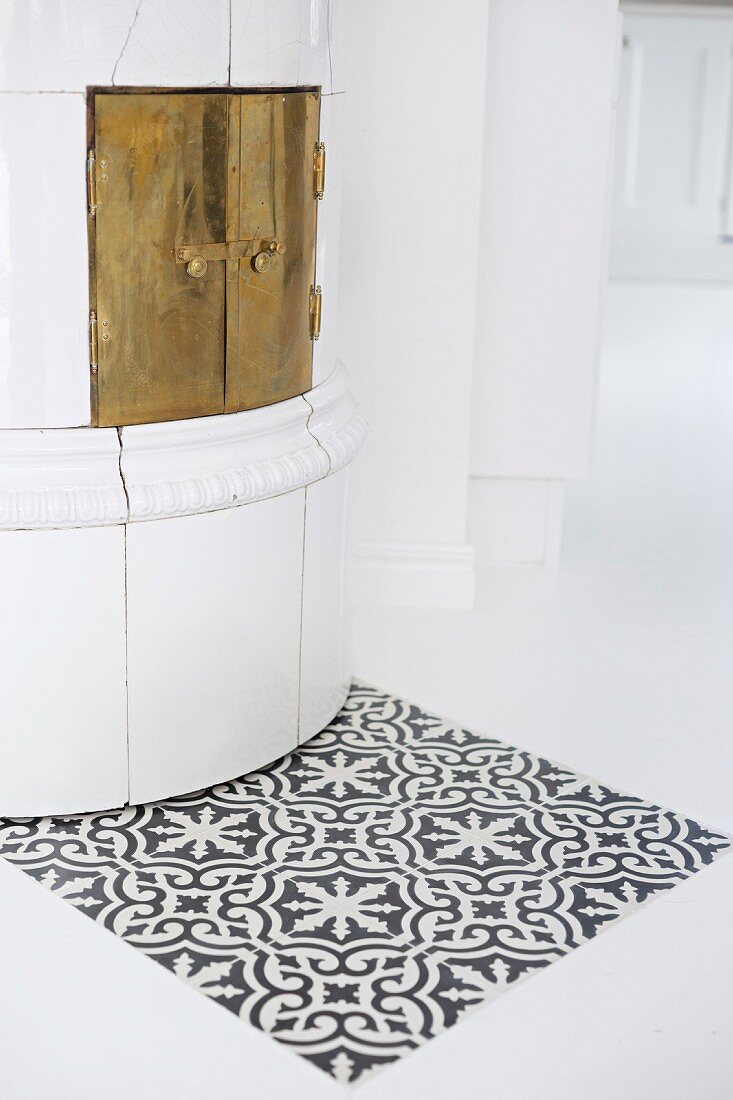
<point>272,139</point>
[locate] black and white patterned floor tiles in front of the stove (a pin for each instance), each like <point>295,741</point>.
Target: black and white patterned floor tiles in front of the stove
<point>364,894</point>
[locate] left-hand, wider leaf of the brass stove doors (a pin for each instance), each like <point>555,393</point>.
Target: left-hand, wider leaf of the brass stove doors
<point>161,180</point>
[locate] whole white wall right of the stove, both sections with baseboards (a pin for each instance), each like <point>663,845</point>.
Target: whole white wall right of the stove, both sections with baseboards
<point>477,147</point>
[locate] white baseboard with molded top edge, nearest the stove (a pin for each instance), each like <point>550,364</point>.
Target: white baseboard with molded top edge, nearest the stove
<point>414,575</point>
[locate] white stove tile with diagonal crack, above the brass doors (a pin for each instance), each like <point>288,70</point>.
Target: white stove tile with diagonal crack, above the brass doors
<point>64,46</point>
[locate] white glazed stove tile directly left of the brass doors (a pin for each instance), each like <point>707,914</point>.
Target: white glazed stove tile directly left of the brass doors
<point>45,367</point>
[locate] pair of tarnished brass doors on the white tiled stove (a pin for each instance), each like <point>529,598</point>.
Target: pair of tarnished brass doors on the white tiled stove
<point>203,223</point>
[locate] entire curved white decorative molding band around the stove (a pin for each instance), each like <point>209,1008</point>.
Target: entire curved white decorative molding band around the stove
<point>71,477</point>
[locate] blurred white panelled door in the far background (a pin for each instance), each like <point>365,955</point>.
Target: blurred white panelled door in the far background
<point>673,148</point>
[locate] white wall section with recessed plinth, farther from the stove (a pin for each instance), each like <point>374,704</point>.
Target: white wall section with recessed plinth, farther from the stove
<point>551,76</point>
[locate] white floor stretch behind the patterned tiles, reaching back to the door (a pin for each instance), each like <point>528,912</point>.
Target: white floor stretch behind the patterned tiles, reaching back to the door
<point>621,663</point>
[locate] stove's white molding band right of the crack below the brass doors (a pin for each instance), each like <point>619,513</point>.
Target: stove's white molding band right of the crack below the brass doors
<point>189,467</point>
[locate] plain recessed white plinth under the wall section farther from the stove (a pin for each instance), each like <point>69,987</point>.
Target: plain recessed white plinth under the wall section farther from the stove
<point>517,520</point>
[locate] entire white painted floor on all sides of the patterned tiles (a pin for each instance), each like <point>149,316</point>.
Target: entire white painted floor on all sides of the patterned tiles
<point>620,664</point>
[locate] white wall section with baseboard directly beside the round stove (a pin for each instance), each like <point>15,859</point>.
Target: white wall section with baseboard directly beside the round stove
<point>413,131</point>
